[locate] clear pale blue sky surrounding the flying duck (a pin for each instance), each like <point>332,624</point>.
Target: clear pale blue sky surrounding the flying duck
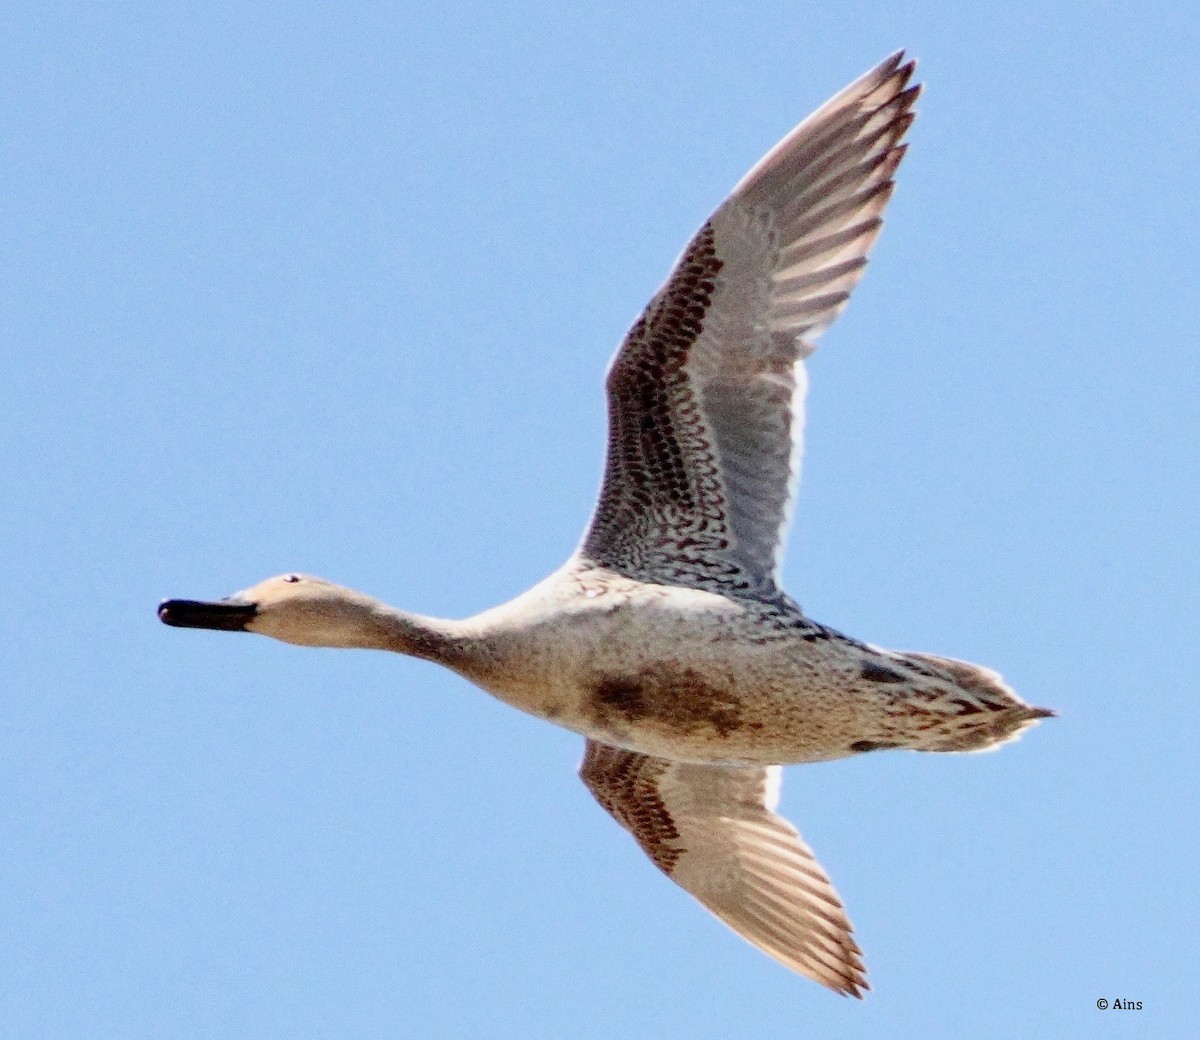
<point>333,288</point>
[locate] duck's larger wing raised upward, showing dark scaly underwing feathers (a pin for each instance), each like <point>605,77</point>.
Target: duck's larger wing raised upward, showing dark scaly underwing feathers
<point>706,395</point>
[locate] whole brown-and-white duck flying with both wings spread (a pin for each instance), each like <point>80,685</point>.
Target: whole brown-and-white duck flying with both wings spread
<point>667,640</point>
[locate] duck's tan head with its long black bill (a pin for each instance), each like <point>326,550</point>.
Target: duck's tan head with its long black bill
<point>296,609</point>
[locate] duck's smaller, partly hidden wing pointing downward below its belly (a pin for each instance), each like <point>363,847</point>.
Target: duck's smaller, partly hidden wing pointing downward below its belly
<point>713,832</point>
